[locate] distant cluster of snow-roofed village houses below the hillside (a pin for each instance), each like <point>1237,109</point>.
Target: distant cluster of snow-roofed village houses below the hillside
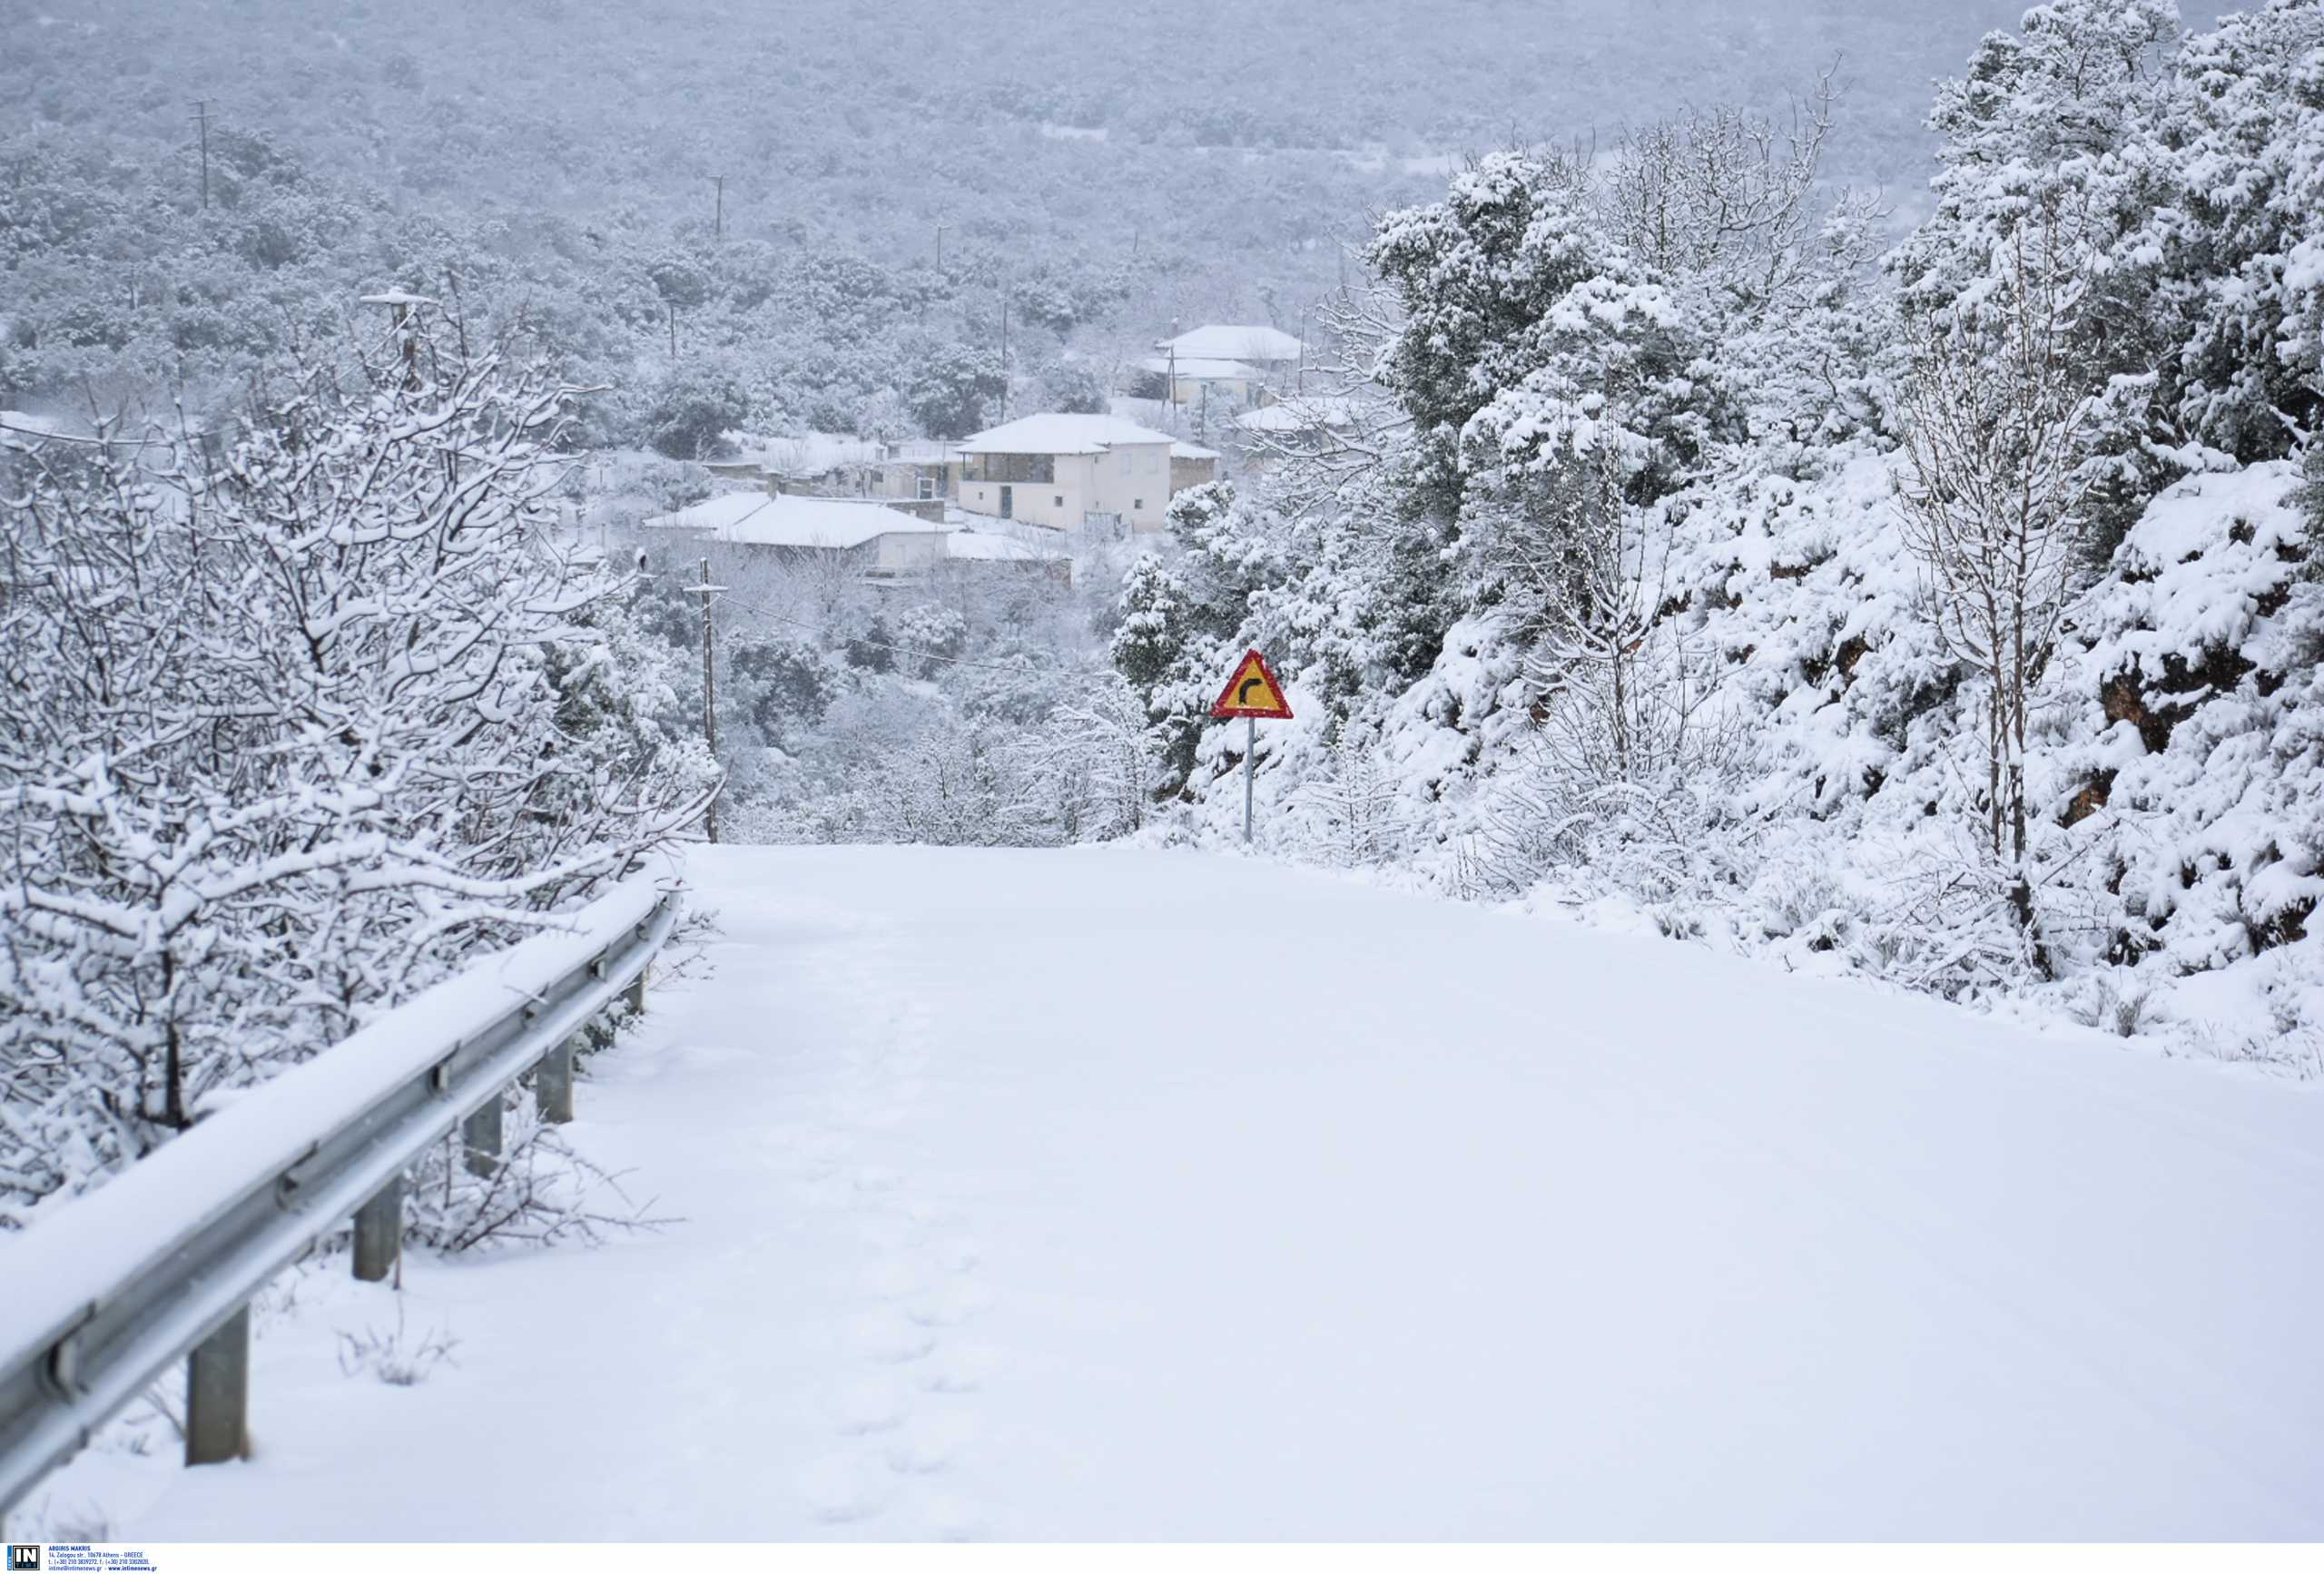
<point>1033,492</point>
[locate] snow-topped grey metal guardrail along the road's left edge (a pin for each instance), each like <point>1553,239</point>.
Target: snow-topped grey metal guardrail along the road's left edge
<point>164,1261</point>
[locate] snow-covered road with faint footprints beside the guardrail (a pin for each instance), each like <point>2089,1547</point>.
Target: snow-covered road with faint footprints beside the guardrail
<point>1119,1194</point>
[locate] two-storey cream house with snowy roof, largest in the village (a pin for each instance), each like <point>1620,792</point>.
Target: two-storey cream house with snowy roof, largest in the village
<point>1068,473</point>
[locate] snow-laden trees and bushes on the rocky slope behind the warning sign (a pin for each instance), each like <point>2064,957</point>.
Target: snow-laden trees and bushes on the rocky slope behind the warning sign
<point>1953,624</point>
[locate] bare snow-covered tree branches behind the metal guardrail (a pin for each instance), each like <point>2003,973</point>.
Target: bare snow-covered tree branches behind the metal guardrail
<point>296,724</point>
